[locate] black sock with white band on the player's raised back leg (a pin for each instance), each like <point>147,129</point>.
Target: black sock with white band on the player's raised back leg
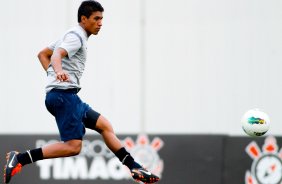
<point>30,156</point>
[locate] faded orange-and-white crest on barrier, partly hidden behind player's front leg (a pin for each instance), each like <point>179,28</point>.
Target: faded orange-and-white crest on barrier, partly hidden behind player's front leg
<point>146,152</point>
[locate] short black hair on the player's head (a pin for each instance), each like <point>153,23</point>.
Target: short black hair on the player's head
<point>87,8</point>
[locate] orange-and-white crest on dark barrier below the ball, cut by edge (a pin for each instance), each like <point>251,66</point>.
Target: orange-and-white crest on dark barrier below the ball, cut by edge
<point>267,165</point>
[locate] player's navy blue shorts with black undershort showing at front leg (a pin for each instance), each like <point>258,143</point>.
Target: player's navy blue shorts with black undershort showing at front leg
<point>70,113</point>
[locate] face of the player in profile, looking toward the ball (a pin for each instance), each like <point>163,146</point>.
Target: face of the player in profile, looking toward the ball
<point>93,24</point>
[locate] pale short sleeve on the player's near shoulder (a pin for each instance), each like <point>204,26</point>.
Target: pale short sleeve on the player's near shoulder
<point>71,43</point>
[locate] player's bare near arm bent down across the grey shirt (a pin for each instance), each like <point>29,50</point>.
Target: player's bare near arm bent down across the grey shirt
<point>56,62</point>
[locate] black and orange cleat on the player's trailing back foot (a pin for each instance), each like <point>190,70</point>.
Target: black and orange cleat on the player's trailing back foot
<point>12,167</point>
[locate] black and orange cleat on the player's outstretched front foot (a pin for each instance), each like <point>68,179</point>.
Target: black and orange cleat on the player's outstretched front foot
<point>141,174</point>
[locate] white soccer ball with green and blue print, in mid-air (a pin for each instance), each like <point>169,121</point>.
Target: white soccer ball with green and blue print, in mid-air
<point>255,122</point>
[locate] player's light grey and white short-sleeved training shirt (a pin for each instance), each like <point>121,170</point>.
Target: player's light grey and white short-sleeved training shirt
<point>74,41</point>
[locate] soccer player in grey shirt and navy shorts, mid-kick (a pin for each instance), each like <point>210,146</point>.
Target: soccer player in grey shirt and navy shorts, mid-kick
<point>64,62</point>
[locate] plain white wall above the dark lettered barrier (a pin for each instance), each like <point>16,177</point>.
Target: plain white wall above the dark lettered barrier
<point>204,64</point>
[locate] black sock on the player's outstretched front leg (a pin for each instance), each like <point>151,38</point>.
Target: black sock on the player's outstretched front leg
<point>127,159</point>
